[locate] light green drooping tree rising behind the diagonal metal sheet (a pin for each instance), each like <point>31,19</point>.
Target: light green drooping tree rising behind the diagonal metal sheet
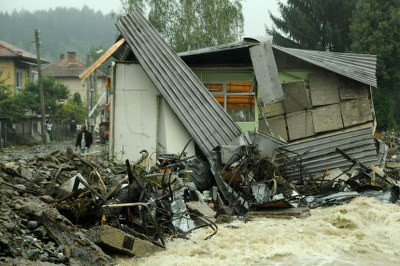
<point>192,24</point>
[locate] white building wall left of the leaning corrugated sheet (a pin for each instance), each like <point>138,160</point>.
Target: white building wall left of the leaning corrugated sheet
<point>140,119</point>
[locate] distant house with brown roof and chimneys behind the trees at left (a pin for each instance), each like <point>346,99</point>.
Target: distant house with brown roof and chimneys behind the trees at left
<point>67,70</point>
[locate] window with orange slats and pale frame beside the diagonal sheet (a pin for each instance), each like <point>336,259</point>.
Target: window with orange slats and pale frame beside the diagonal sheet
<point>237,98</point>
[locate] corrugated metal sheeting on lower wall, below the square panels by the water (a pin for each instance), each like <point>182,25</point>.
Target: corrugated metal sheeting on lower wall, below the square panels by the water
<point>319,154</point>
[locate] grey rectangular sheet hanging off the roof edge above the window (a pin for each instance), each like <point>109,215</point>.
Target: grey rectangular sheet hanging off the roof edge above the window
<point>266,71</point>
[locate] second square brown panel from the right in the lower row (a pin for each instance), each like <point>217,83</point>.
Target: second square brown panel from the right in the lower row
<point>327,118</point>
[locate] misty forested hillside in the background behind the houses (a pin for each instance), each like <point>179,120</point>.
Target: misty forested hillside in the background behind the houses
<point>61,29</point>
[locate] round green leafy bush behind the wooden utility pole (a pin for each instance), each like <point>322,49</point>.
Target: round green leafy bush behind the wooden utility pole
<point>54,94</point>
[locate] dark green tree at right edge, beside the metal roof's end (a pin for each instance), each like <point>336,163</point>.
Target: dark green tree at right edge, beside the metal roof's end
<point>374,30</point>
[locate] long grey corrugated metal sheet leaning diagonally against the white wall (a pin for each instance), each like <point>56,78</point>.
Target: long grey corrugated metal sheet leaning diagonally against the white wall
<point>196,108</point>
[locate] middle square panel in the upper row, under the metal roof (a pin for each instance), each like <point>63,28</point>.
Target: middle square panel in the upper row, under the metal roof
<point>324,89</point>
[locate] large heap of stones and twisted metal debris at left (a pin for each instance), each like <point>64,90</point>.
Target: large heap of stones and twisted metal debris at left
<point>62,207</point>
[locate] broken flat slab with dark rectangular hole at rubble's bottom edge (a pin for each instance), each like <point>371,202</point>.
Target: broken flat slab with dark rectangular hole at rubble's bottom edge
<point>113,239</point>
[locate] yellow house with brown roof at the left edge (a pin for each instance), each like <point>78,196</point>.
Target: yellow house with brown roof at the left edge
<point>17,66</point>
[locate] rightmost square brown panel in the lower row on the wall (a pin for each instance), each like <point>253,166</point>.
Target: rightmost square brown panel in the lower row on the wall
<point>356,111</point>
